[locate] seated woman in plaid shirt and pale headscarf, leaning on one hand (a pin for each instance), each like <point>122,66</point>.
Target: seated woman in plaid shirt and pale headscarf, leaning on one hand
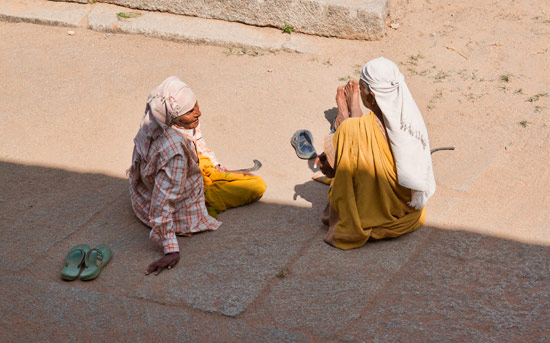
<point>167,183</point>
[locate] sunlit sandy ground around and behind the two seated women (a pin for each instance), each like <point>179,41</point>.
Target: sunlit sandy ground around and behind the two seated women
<point>477,70</point>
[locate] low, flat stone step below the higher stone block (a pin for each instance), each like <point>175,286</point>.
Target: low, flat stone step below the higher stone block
<point>244,39</point>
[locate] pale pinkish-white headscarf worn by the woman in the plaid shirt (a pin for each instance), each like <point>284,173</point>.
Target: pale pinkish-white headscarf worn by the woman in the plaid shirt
<point>169,100</point>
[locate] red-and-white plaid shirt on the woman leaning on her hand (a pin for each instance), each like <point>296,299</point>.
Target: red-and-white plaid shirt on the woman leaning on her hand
<point>169,196</point>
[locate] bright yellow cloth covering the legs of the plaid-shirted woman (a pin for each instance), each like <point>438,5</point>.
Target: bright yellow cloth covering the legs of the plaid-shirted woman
<point>223,190</point>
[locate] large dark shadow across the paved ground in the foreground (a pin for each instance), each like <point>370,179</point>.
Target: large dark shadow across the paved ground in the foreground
<point>267,261</point>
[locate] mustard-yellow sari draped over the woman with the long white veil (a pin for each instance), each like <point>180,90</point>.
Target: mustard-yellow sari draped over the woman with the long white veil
<point>366,200</point>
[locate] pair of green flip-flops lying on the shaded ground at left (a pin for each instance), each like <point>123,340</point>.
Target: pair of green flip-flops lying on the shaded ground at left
<point>85,262</point>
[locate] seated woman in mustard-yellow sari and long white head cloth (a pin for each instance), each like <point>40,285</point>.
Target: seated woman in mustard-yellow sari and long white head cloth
<point>380,162</point>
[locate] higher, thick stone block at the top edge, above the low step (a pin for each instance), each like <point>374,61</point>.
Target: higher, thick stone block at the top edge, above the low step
<point>349,19</point>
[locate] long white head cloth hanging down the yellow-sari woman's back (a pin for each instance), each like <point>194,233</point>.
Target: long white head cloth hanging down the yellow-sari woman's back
<point>406,129</point>
